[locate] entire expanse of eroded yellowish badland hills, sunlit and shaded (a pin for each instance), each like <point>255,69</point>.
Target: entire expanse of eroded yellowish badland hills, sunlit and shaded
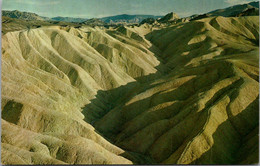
<point>181,94</point>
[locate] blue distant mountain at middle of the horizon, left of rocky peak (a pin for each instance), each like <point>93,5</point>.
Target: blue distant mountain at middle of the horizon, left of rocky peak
<point>125,18</point>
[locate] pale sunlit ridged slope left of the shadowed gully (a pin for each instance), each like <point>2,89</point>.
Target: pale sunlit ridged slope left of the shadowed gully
<point>48,74</point>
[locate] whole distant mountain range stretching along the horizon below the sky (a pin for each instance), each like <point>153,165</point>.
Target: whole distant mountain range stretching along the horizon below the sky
<point>251,8</point>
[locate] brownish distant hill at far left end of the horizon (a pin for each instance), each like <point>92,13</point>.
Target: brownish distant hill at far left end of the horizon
<point>22,15</point>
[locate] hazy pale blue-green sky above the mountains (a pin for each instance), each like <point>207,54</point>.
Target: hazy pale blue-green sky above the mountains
<point>101,8</point>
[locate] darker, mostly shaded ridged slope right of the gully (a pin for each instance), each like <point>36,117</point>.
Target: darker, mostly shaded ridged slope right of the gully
<point>205,110</point>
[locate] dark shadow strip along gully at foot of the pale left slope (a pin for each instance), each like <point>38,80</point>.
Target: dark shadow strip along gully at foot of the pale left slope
<point>107,100</point>
